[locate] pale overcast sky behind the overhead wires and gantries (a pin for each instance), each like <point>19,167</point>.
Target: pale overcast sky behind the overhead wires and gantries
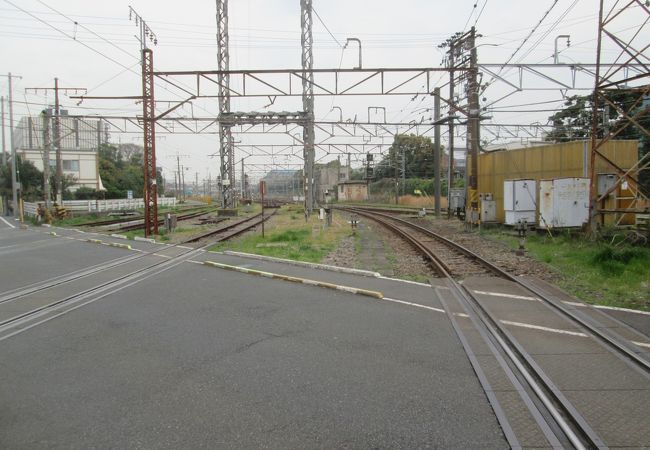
<point>100,53</point>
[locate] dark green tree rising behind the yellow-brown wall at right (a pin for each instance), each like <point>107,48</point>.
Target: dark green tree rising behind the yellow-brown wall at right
<point>575,122</point>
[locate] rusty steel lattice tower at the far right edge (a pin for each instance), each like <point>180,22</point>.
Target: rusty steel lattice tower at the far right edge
<point>632,51</point>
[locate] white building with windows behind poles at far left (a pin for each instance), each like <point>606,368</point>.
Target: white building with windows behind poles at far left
<point>80,140</point>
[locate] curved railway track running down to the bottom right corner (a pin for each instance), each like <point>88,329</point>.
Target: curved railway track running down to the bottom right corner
<point>564,424</point>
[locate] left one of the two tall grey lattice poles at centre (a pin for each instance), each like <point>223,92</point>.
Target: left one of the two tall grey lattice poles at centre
<point>226,148</point>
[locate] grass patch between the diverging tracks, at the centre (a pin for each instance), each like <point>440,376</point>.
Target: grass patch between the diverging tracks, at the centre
<point>302,242</point>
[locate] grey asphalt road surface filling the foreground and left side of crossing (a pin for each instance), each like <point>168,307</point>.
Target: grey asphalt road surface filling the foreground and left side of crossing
<point>197,357</point>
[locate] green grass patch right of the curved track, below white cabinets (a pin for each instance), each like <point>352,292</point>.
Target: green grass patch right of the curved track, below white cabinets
<point>595,272</point>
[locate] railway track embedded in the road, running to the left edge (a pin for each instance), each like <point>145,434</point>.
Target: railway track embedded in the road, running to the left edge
<point>31,305</point>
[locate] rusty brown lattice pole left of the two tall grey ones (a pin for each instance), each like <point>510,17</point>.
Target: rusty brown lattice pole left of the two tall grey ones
<point>149,127</point>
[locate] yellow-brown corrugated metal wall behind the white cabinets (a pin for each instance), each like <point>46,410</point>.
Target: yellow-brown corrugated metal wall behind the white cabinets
<point>569,159</point>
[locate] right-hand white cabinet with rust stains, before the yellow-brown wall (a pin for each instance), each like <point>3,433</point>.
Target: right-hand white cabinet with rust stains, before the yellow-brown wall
<point>563,202</point>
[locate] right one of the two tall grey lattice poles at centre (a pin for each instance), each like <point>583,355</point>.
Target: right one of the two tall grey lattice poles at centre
<point>306,41</point>
